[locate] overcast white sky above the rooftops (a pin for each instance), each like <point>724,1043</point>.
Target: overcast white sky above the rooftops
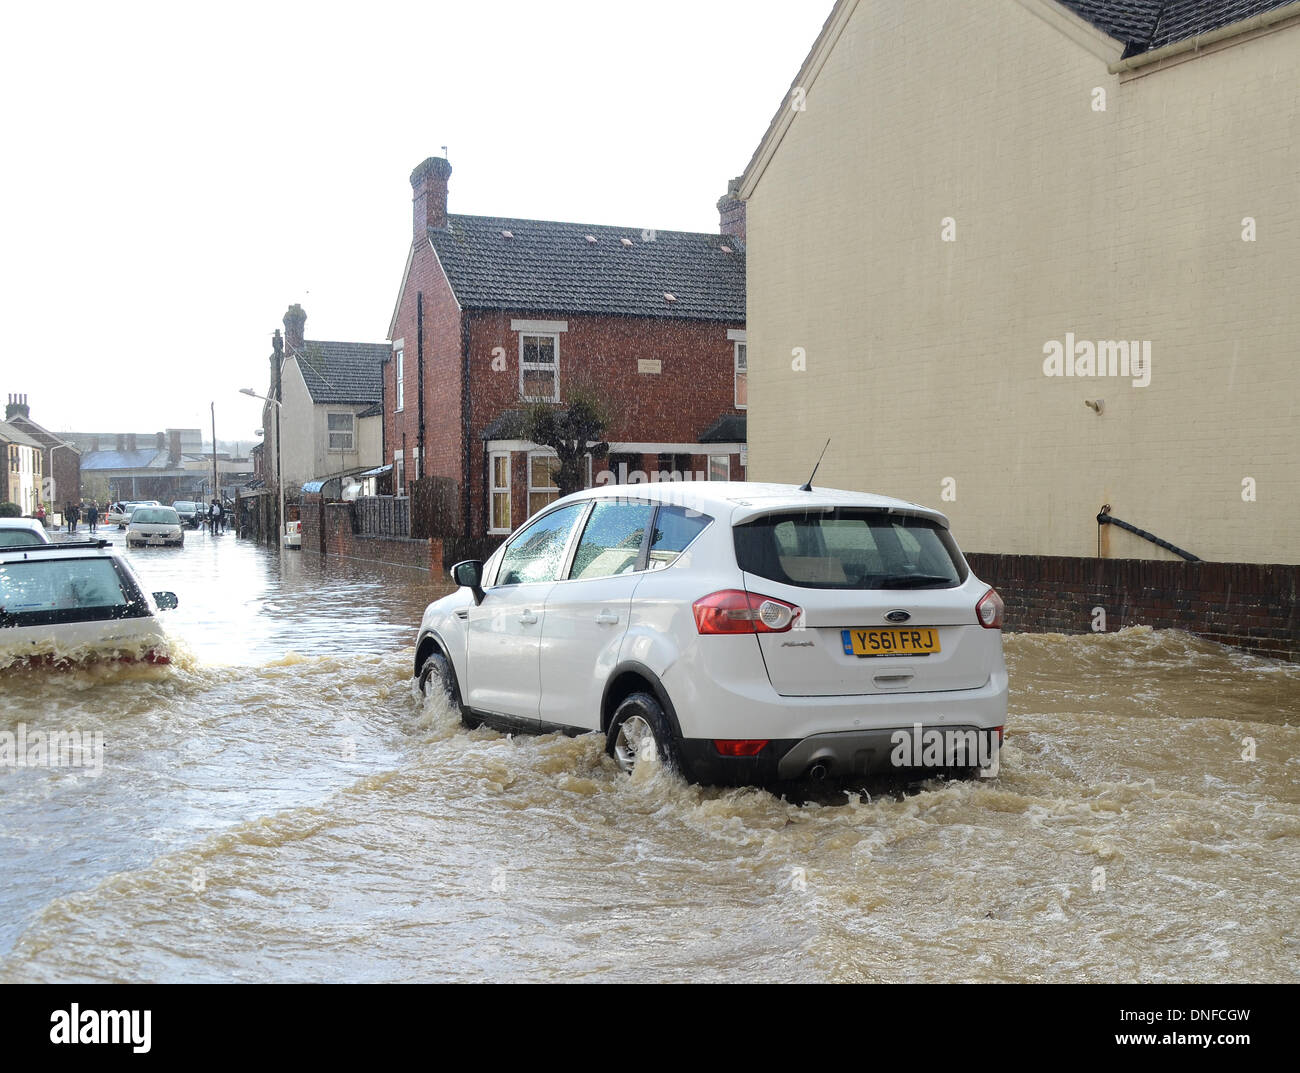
<point>177,175</point>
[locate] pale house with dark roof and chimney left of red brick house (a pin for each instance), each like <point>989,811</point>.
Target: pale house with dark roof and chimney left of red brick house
<point>330,423</point>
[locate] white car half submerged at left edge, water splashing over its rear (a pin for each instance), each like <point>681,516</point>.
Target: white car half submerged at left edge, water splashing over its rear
<point>73,602</point>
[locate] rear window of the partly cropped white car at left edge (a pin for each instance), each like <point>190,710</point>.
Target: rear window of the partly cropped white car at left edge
<point>64,591</point>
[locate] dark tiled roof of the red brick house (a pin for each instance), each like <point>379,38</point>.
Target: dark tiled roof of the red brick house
<point>553,267</point>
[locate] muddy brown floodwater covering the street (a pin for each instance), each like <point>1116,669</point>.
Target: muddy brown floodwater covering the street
<point>281,806</point>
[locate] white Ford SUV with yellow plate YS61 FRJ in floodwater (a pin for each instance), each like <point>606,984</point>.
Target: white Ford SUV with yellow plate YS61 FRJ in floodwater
<point>740,633</point>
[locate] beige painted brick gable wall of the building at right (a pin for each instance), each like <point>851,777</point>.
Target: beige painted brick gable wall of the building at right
<point>925,358</point>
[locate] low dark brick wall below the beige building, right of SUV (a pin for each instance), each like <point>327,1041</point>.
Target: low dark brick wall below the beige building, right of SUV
<point>1245,605</point>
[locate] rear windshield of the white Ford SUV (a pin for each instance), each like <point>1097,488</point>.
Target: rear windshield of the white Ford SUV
<point>851,550</point>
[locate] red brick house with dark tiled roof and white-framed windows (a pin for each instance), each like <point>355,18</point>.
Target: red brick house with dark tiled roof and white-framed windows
<point>495,310</point>
